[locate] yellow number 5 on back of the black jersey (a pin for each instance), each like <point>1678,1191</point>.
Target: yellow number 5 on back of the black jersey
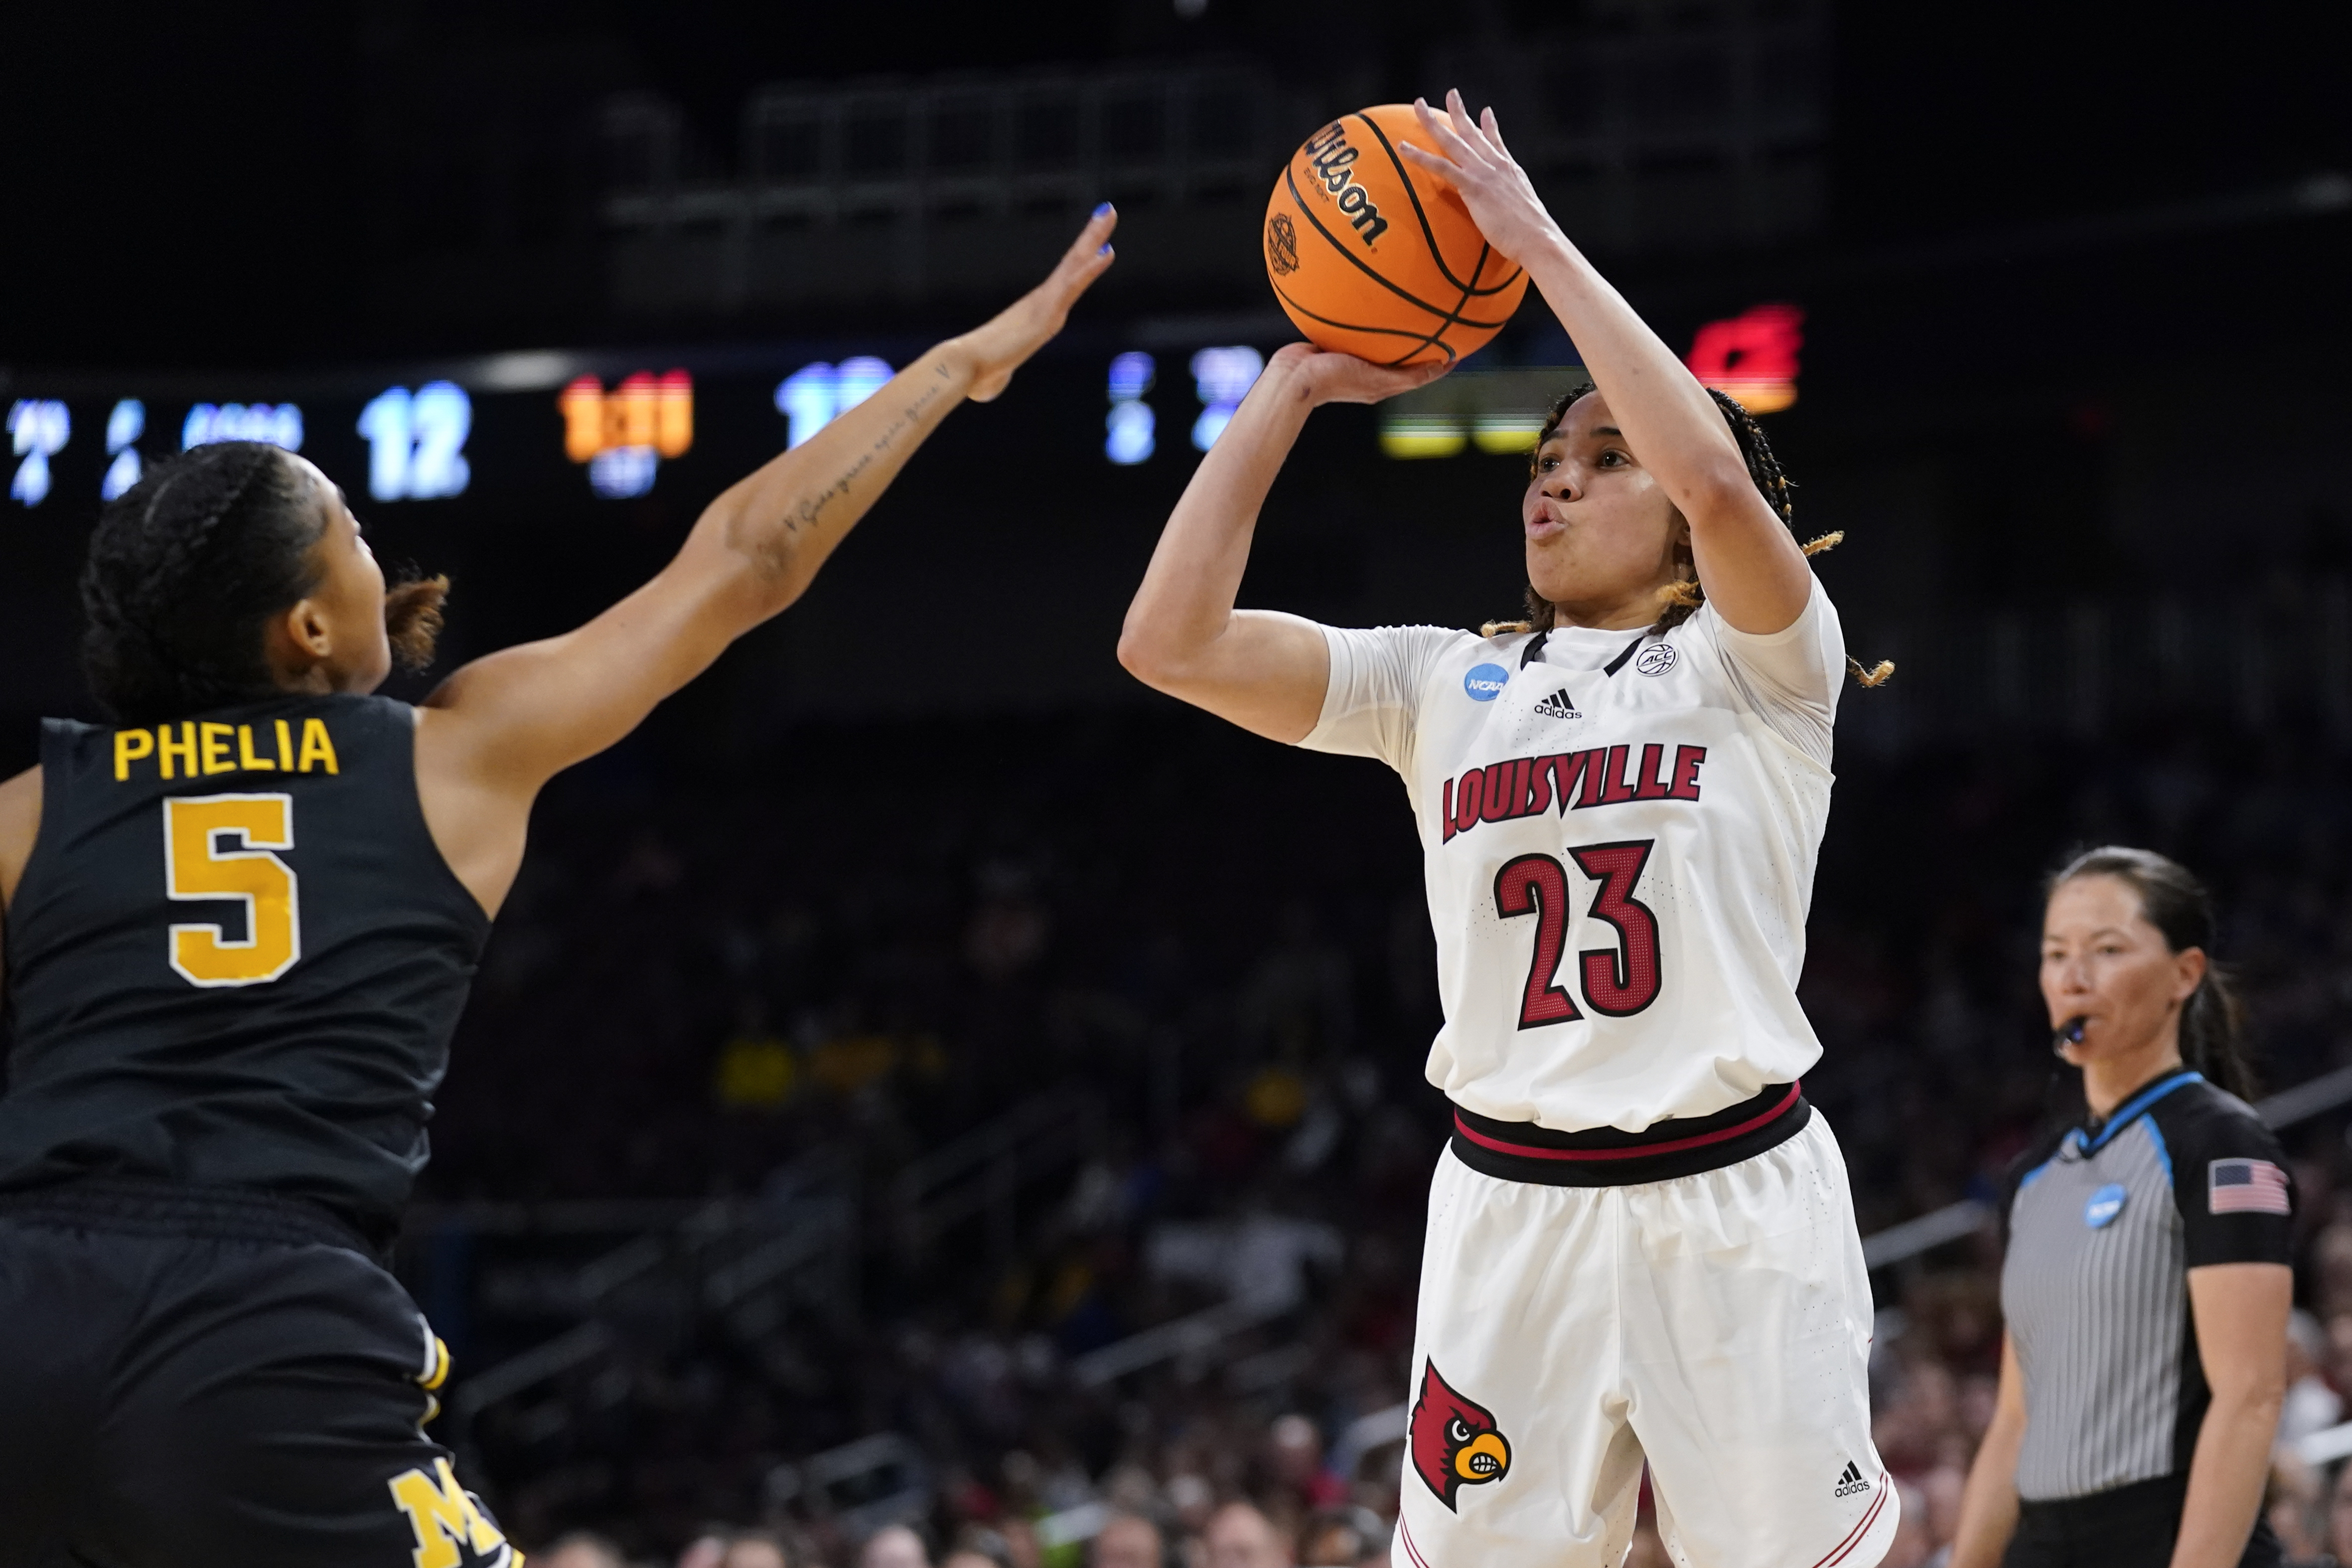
<point>199,871</point>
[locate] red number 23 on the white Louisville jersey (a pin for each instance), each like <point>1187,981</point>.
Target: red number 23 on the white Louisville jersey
<point>1617,981</point>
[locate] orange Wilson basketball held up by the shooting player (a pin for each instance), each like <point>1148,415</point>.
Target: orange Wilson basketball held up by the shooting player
<point>1379,260</point>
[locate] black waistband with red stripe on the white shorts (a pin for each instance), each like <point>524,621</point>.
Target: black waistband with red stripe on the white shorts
<point>1612,1158</point>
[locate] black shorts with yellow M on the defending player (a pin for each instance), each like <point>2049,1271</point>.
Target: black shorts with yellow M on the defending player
<point>213,1379</point>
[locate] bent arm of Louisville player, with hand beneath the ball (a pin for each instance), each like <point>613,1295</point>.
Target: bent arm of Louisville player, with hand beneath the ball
<point>1259,669</point>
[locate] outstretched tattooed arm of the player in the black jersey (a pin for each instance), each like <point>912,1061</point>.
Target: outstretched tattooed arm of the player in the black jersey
<point>497,730</point>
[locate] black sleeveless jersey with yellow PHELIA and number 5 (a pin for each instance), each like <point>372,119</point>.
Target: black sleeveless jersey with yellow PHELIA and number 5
<point>236,958</point>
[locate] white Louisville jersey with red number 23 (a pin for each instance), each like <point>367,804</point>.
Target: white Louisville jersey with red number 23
<point>1619,840</point>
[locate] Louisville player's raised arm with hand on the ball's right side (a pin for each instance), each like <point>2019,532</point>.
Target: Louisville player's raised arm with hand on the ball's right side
<point>1749,563</point>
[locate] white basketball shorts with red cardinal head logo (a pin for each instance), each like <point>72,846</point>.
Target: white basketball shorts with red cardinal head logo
<point>1716,1325</point>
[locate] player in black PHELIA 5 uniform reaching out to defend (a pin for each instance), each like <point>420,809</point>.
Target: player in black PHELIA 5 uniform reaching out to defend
<point>241,925</point>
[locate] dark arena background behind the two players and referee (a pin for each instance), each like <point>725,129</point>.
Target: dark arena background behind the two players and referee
<point>926,1078</point>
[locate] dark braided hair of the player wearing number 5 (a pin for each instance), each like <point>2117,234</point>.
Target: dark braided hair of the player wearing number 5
<point>189,565</point>
